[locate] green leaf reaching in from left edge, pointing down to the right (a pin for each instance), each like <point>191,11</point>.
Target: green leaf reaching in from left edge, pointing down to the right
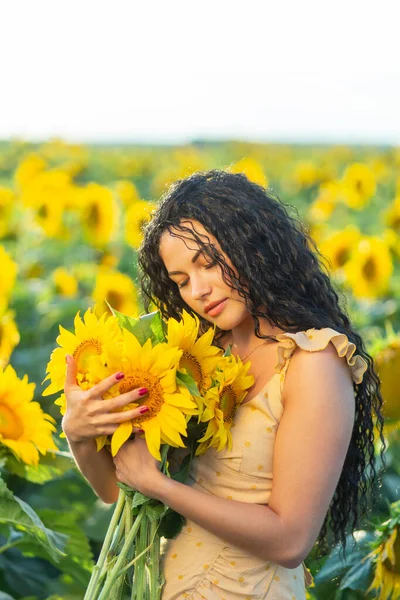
<point>17,513</point>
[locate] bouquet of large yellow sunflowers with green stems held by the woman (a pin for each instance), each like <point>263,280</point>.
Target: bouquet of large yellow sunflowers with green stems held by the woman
<point>194,390</point>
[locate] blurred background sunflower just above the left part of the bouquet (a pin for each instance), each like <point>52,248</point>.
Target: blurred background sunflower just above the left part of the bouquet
<point>119,291</point>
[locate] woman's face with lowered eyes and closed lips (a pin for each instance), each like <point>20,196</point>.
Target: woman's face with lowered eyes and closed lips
<point>200,281</point>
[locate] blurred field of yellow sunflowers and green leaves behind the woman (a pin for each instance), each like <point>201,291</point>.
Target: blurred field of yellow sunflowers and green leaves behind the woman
<point>70,225</point>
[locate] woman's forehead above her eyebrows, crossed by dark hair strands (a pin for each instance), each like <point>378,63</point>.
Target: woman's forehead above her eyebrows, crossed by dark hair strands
<point>171,245</point>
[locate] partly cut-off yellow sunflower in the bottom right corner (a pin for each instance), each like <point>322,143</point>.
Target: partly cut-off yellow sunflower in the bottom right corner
<point>386,580</point>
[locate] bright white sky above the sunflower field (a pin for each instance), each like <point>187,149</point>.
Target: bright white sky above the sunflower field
<point>169,72</point>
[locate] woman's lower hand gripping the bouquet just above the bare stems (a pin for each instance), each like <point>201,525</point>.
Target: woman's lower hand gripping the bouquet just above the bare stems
<point>136,467</point>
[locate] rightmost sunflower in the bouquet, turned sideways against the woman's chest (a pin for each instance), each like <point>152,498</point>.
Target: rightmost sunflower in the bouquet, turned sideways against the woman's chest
<point>223,401</point>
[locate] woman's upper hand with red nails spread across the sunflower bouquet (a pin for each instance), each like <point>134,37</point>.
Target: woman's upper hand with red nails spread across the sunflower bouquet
<point>89,416</point>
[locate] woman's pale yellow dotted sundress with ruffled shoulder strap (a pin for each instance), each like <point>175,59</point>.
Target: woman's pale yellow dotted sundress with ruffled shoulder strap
<point>200,566</point>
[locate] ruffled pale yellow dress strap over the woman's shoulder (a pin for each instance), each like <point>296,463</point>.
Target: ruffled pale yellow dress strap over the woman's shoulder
<point>313,340</point>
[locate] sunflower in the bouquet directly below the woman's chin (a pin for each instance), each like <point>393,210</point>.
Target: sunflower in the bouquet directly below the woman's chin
<point>199,358</point>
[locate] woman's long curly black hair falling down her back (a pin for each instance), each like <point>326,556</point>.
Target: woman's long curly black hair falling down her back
<point>290,287</point>
